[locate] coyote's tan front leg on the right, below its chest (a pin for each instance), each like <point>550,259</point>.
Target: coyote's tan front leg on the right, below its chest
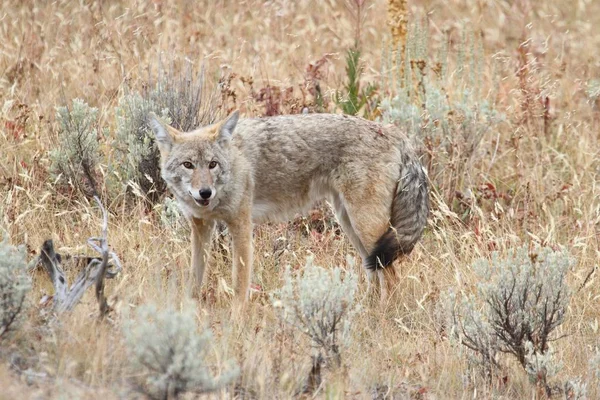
<point>241,233</point>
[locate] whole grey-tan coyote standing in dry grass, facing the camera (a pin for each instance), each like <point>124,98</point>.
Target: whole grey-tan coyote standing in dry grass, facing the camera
<point>267,169</point>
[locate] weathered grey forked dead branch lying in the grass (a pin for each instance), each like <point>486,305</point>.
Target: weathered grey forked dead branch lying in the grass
<point>106,266</point>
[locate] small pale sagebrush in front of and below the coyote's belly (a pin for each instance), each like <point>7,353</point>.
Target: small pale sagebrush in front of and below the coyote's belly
<point>319,303</point>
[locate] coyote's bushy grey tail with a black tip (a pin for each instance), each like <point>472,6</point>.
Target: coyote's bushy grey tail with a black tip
<point>410,209</point>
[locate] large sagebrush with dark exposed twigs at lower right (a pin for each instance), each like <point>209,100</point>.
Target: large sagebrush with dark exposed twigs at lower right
<point>521,299</point>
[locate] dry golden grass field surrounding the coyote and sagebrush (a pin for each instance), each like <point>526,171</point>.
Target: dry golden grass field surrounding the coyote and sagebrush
<point>536,180</point>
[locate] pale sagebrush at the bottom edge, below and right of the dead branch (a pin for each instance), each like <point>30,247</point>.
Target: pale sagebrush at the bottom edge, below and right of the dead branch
<point>166,346</point>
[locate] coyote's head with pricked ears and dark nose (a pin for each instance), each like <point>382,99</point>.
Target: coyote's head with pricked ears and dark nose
<point>195,165</point>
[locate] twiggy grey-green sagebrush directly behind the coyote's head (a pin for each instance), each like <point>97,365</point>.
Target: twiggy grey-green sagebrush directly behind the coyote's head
<point>181,100</point>
